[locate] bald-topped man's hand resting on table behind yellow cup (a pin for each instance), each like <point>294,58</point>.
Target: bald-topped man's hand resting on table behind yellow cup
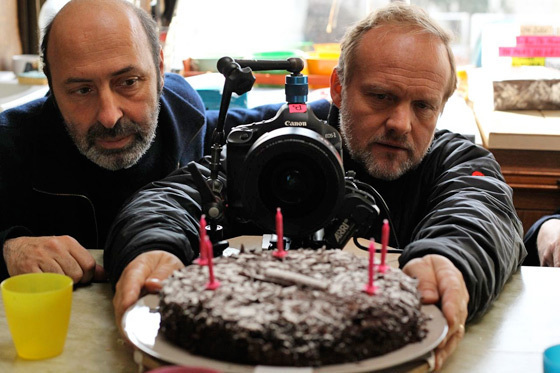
<point>57,254</point>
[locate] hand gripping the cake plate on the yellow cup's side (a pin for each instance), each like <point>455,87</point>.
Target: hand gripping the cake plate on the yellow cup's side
<point>145,272</point>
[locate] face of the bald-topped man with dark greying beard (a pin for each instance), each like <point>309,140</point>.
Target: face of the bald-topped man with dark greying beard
<point>106,86</point>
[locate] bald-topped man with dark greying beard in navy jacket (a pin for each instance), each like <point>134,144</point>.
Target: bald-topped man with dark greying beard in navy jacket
<point>111,124</point>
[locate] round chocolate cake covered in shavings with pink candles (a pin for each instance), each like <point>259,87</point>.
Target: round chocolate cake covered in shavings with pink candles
<point>308,309</point>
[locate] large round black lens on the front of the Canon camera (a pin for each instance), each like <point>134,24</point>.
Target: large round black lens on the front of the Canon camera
<point>297,170</point>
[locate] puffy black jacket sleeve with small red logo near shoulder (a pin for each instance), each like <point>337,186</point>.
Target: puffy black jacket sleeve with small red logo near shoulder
<point>471,220</point>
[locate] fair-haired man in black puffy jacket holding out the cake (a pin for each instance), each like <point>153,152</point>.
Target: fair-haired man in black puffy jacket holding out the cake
<point>452,211</point>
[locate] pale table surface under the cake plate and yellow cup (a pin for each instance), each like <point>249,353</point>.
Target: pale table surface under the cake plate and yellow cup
<point>509,338</point>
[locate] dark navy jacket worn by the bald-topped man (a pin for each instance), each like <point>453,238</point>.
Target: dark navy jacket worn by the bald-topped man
<point>48,188</point>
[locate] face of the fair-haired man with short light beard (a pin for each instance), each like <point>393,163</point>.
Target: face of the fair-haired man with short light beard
<point>389,109</point>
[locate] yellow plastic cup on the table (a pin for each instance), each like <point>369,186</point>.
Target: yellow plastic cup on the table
<point>38,309</point>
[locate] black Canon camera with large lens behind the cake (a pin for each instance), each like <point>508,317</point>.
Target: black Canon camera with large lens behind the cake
<point>292,161</point>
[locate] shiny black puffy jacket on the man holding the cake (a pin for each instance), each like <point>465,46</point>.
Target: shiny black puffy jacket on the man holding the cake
<point>441,207</point>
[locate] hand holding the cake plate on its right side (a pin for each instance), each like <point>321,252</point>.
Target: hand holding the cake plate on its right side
<point>440,281</point>
